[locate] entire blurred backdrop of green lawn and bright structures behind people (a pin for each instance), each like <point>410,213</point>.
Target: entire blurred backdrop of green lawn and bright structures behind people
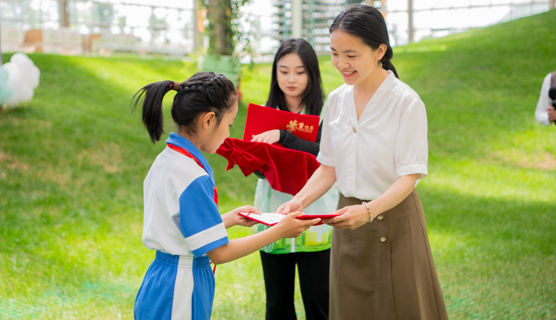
<point>73,156</point>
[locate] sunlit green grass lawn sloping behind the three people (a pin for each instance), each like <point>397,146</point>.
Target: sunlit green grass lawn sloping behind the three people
<point>72,163</point>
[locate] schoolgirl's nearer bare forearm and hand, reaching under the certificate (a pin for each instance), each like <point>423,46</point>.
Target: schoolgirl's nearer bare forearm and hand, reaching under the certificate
<point>289,227</point>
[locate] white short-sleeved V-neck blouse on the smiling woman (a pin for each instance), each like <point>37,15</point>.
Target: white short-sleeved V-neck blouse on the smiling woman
<point>388,141</point>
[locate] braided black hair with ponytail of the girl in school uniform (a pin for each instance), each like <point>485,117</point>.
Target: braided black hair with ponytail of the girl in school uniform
<point>203,92</point>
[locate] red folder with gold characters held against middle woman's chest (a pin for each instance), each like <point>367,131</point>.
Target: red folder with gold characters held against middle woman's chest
<point>261,119</point>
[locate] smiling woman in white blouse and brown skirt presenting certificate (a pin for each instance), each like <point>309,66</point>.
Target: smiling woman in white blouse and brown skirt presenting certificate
<point>374,147</point>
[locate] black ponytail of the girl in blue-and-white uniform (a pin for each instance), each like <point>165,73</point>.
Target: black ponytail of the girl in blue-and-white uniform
<point>152,106</point>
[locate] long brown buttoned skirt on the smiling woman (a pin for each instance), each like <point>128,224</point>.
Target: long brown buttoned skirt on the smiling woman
<point>384,269</point>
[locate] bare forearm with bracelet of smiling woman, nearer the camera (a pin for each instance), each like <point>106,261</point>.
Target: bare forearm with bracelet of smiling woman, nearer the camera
<point>357,215</point>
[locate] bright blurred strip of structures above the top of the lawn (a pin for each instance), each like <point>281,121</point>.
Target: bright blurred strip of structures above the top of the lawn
<point>177,28</point>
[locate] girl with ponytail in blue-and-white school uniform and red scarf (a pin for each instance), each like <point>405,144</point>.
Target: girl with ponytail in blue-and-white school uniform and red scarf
<point>181,218</point>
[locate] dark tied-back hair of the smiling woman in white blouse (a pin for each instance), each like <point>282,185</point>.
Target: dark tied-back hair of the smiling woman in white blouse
<point>366,23</point>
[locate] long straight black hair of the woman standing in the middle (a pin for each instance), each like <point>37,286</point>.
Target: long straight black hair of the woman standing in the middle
<point>313,95</point>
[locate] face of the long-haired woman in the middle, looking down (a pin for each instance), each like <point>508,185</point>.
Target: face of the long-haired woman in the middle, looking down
<point>292,76</point>
